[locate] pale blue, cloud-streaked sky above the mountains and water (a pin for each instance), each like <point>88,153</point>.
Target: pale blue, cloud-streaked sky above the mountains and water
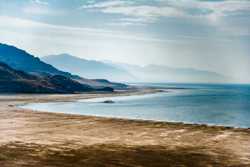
<point>203,34</point>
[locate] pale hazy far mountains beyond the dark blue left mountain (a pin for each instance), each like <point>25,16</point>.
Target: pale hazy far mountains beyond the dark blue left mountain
<point>132,73</point>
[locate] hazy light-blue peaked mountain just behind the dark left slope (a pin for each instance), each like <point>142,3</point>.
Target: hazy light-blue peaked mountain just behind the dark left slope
<point>88,68</point>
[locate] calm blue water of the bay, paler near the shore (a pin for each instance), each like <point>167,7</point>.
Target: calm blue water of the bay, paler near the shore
<point>227,105</point>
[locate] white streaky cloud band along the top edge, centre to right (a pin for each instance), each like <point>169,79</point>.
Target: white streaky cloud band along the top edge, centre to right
<point>211,10</point>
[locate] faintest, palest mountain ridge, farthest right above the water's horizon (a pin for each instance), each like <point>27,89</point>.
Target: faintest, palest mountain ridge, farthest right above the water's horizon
<point>157,73</point>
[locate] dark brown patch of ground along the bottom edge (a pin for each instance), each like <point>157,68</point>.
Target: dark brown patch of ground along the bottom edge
<point>34,155</point>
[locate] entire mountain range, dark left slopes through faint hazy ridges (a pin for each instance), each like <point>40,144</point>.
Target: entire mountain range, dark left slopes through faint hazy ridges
<point>21,72</point>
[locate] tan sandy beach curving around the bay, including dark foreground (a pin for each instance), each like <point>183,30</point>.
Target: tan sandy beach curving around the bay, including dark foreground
<point>39,139</point>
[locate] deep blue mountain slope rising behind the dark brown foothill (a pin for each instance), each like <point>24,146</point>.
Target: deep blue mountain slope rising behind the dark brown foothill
<point>19,59</point>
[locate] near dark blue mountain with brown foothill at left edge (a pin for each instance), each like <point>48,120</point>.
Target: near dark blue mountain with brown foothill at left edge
<point>17,63</point>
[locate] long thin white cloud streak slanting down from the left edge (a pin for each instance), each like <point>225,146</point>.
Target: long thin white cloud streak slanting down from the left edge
<point>75,32</point>
